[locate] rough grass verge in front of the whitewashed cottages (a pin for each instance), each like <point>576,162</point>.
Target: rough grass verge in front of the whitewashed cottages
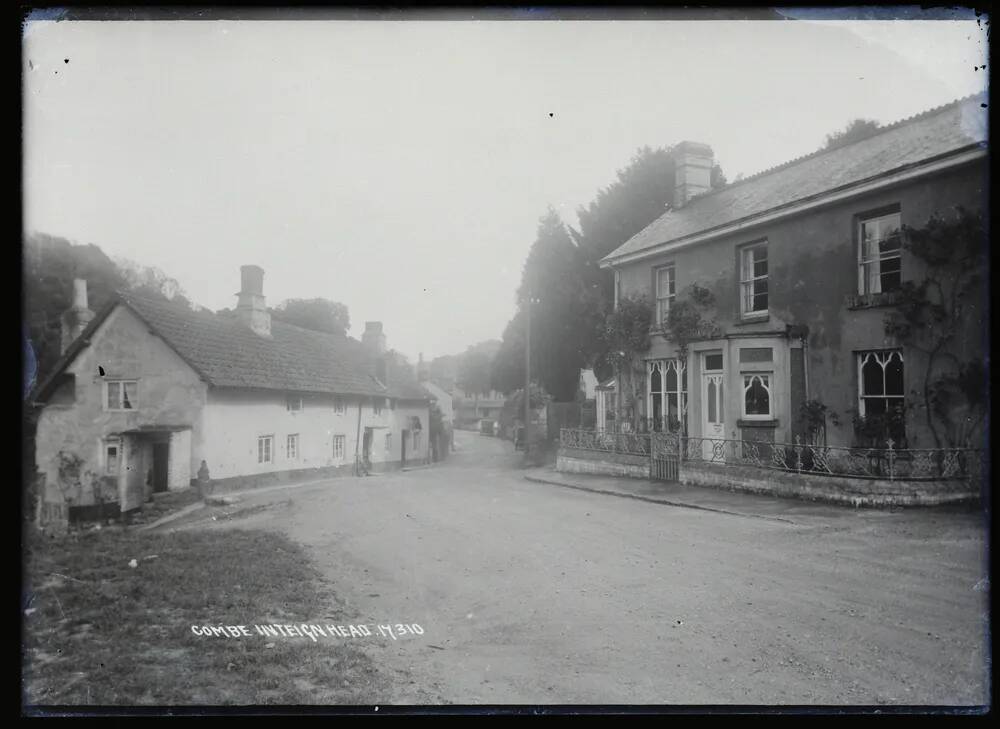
<point>99,632</point>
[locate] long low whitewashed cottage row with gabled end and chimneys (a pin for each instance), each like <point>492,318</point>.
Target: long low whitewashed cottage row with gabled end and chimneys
<point>147,391</point>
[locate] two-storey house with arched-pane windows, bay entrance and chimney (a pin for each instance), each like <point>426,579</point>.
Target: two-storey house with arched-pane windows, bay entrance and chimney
<point>803,262</point>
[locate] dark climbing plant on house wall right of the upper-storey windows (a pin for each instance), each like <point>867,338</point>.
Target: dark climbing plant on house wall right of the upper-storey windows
<point>940,315</point>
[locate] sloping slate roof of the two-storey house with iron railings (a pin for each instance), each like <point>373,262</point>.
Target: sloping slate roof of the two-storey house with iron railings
<point>934,133</point>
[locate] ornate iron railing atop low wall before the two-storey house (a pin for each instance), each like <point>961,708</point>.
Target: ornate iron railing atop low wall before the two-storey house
<point>890,463</point>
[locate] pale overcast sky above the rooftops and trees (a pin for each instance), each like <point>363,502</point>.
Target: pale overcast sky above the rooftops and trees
<point>401,167</point>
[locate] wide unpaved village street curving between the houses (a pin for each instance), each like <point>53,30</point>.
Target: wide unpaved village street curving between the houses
<point>532,593</point>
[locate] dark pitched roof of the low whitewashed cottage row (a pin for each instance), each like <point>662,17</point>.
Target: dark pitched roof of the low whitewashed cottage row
<point>226,353</point>
